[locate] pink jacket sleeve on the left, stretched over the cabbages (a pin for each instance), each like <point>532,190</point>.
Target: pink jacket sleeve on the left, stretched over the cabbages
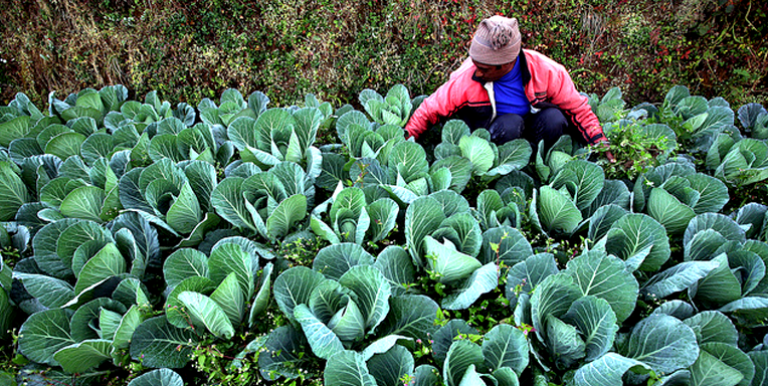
<point>443,103</point>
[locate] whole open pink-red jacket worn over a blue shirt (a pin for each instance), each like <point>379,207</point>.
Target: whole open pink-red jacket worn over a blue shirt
<point>547,84</point>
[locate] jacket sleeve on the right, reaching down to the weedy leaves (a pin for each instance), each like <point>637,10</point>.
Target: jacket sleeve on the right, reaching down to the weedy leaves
<point>576,106</point>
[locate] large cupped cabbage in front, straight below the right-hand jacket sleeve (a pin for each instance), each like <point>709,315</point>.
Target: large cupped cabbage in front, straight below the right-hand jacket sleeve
<point>574,312</point>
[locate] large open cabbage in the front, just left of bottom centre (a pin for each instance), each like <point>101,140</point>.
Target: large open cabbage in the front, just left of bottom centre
<point>344,302</point>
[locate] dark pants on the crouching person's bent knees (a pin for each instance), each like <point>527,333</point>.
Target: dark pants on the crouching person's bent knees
<point>548,124</point>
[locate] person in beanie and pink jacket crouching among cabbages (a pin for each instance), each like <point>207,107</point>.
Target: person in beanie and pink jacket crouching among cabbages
<point>513,92</point>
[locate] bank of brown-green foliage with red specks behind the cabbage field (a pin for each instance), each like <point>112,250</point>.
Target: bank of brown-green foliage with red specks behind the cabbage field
<point>188,50</point>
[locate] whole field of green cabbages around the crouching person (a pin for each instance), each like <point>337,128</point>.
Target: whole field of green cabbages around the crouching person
<point>236,243</point>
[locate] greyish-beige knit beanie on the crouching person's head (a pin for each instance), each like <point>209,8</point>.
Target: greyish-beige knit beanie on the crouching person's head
<point>497,41</point>
